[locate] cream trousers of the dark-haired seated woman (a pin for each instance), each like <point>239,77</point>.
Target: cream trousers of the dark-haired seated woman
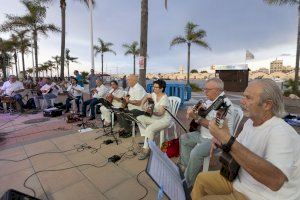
<point>151,126</point>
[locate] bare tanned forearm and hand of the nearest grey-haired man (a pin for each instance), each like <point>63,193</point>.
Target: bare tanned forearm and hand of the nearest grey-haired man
<point>260,169</point>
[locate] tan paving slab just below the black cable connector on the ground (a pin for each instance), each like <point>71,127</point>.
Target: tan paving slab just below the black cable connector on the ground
<point>105,178</point>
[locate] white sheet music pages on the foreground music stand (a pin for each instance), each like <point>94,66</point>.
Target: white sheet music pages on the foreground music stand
<point>165,173</point>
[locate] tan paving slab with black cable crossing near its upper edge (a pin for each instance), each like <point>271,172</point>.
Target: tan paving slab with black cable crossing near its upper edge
<point>58,180</point>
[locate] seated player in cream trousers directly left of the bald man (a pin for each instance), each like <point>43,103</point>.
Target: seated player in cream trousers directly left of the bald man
<point>114,96</point>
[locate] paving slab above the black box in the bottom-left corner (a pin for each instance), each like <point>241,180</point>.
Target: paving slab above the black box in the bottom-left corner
<point>16,180</point>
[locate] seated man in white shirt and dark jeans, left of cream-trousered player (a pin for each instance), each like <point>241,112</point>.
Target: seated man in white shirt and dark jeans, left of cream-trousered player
<point>99,92</point>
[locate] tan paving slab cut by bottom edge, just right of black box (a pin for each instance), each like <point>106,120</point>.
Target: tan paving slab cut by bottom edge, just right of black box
<point>83,190</point>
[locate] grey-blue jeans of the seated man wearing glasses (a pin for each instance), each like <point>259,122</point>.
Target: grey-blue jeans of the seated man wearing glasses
<point>193,150</point>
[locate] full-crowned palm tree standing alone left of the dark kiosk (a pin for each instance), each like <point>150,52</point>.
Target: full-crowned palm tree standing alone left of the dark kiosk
<point>192,36</point>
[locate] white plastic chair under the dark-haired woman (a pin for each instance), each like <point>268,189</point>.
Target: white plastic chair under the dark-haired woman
<point>174,106</point>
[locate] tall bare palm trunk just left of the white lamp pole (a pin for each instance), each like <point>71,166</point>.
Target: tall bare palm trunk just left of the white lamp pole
<point>63,37</point>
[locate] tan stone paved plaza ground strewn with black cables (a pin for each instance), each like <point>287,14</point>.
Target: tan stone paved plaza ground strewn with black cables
<point>89,175</point>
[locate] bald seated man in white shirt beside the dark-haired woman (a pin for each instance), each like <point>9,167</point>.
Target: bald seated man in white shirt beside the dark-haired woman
<point>133,100</point>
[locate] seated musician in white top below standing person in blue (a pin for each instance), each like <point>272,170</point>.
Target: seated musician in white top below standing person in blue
<point>74,93</point>
